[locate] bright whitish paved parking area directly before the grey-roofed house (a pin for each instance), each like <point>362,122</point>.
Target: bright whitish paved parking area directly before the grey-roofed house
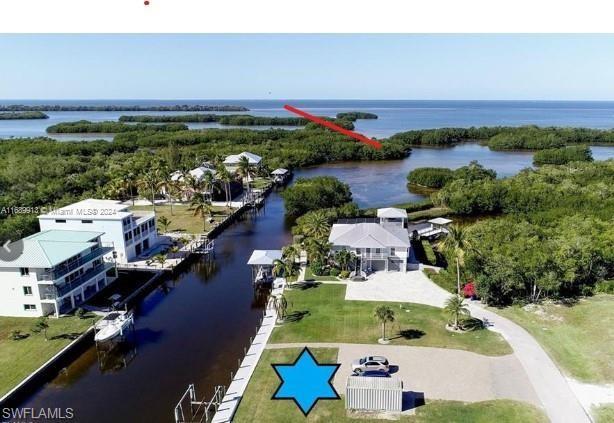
<point>412,286</point>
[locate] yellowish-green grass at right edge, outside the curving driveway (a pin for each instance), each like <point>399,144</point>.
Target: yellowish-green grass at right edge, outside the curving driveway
<point>579,337</point>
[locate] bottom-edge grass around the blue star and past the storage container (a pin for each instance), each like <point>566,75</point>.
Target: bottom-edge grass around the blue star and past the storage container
<point>257,406</point>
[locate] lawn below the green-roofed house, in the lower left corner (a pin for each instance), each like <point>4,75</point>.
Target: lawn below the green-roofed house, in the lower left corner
<point>20,358</point>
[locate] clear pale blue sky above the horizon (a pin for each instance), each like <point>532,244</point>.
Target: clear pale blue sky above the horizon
<point>514,67</point>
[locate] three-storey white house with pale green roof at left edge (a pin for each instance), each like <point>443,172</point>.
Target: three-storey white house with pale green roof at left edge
<point>57,271</point>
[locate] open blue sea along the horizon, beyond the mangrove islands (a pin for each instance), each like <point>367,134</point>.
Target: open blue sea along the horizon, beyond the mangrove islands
<point>394,116</point>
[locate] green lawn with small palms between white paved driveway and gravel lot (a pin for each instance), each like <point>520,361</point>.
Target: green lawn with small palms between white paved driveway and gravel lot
<point>321,314</point>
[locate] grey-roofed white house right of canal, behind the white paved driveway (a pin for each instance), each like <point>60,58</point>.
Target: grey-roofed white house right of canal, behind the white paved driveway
<point>377,246</point>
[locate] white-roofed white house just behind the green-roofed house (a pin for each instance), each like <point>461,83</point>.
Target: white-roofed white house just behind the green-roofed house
<point>131,233</point>
